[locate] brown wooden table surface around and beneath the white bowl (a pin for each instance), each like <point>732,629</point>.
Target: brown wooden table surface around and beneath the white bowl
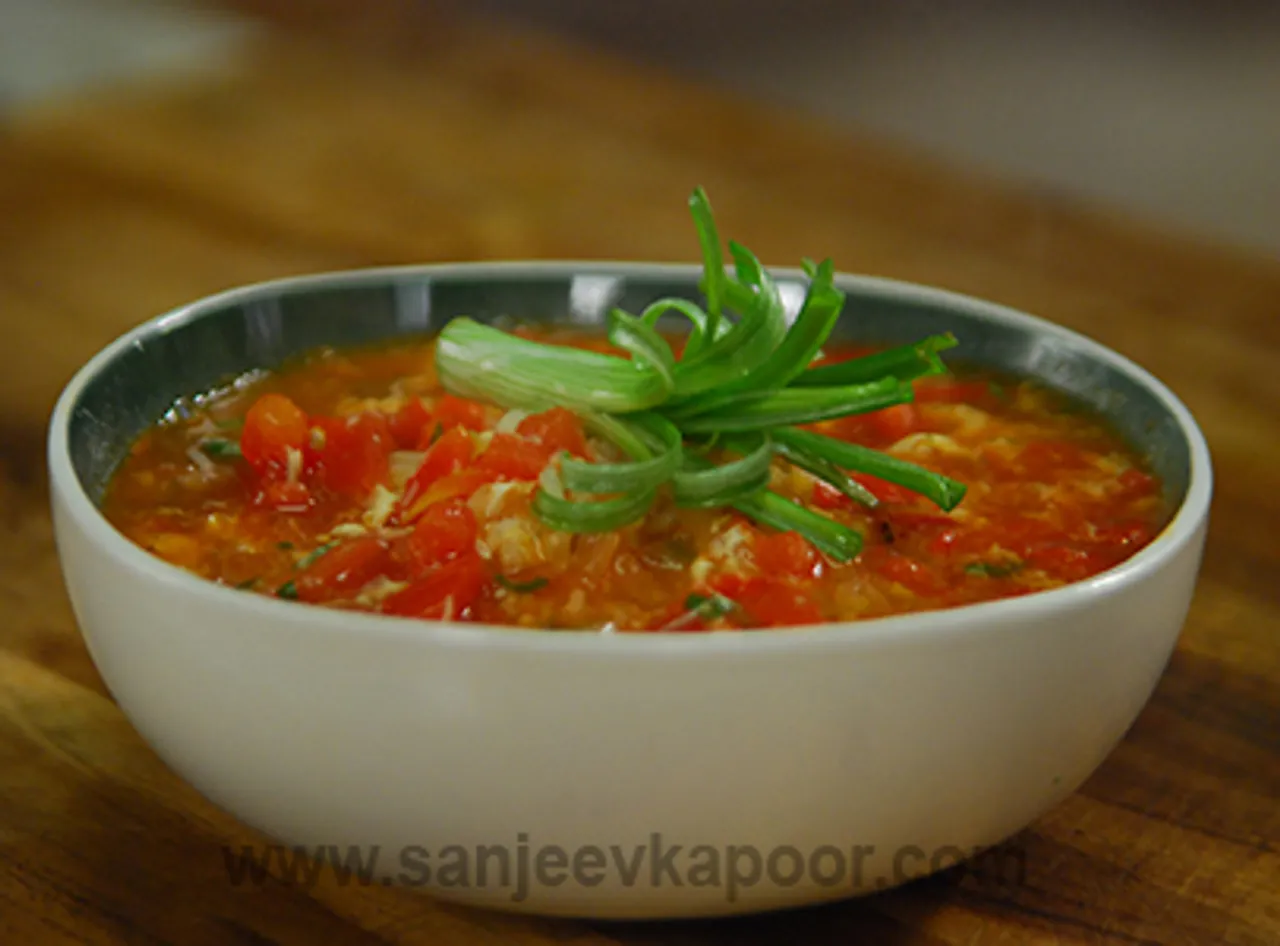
<point>431,140</point>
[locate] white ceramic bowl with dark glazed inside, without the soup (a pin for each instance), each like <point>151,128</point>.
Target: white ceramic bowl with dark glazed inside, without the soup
<point>912,739</point>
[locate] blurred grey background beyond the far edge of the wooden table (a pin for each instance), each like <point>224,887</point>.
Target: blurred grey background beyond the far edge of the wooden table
<point>1164,109</point>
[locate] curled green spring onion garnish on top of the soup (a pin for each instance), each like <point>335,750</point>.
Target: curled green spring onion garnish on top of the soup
<point>743,386</point>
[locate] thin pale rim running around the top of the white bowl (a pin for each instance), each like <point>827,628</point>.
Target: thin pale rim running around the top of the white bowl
<point>913,627</point>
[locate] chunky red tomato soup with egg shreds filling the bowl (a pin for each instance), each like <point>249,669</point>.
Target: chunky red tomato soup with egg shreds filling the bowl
<point>350,479</point>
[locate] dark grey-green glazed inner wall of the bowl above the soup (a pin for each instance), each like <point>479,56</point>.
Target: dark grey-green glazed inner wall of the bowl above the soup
<point>207,345</point>
